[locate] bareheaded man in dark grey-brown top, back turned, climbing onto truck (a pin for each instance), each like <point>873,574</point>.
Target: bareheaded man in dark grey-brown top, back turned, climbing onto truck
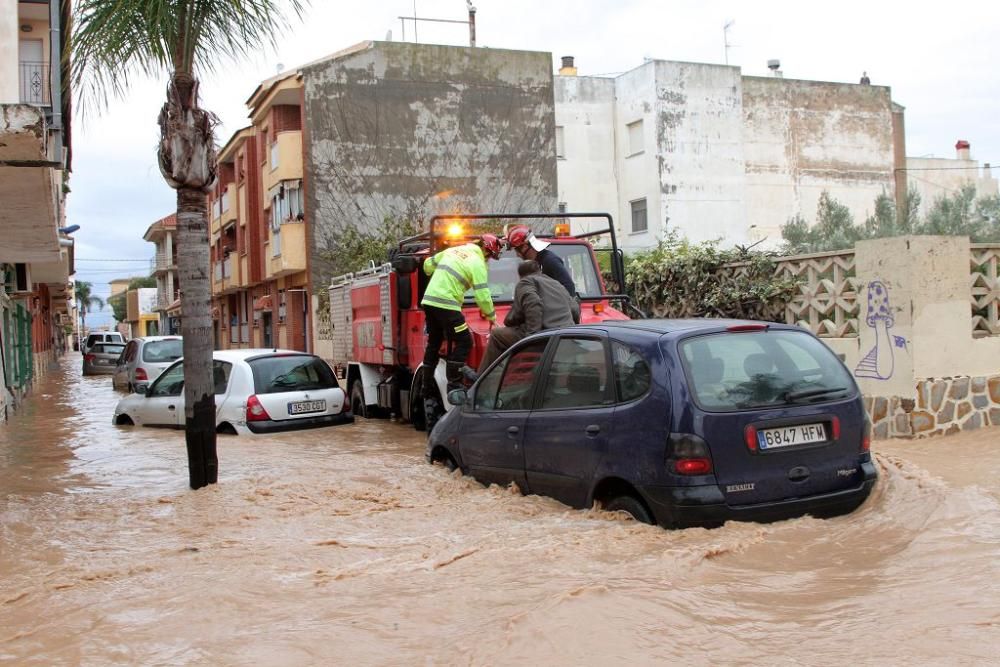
<point>540,303</point>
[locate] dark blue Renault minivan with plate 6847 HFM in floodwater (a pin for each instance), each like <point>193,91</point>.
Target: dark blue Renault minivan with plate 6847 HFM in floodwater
<point>676,422</point>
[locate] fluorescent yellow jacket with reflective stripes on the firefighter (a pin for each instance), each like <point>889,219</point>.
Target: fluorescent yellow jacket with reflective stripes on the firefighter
<point>453,272</point>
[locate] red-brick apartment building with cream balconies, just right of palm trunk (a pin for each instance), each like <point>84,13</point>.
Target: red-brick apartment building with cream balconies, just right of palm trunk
<point>259,251</point>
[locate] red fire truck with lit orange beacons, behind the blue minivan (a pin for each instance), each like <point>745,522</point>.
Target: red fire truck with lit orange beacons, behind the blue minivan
<point>377,324</point>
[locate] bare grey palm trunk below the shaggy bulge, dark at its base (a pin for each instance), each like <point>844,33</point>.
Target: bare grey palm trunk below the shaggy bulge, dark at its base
<point>196,327</point>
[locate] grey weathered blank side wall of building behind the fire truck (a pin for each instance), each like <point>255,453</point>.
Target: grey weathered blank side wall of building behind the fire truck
<point>410,130</point>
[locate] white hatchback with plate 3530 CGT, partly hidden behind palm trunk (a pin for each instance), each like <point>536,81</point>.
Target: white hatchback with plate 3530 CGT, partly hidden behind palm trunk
<point>256,391</point>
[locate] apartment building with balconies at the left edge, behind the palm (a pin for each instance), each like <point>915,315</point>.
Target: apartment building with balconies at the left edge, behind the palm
<point>36,252</point>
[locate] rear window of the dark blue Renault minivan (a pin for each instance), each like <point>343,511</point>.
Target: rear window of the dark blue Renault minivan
<point>728,372</point>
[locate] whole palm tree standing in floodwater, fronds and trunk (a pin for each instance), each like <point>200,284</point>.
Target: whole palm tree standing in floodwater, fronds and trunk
<point>111,43</point>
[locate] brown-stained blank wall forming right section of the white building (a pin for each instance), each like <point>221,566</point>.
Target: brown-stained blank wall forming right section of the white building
<point>802,138</point>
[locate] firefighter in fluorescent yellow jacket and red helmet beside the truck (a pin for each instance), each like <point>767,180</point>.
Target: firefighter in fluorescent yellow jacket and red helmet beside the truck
<point>453,271</point>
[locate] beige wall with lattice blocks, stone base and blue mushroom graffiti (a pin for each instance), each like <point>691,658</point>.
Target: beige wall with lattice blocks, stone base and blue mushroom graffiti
<point>916,319</point>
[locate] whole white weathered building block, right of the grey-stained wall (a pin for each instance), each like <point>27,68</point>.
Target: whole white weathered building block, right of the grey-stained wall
<point>710,153</point>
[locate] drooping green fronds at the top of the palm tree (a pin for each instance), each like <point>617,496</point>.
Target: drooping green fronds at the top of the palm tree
<point>114,41</point>
